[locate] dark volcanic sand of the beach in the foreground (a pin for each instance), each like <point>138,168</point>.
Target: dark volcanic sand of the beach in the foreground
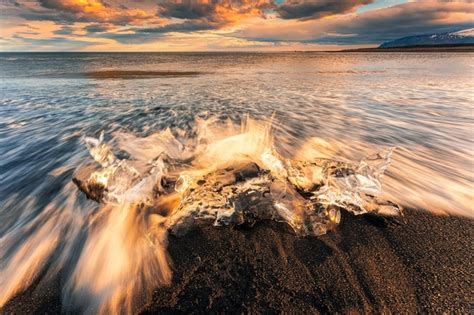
<point>366,265</point>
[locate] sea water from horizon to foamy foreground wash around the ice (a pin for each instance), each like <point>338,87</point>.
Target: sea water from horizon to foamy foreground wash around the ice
<point>337,106</point>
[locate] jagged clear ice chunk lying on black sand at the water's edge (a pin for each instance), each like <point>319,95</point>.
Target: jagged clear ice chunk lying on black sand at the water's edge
<point>307,195</point>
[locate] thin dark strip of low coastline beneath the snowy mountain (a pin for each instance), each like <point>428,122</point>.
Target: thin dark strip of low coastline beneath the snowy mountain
<point>419,48</point>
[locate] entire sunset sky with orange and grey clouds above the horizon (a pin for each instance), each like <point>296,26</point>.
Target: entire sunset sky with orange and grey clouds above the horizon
<point>222,25</point>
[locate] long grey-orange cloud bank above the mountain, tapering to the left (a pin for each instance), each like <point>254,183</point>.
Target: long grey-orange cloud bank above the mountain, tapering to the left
<point>371,27</point>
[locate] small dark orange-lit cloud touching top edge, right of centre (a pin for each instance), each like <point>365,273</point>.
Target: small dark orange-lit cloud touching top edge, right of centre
<point>314,9</point>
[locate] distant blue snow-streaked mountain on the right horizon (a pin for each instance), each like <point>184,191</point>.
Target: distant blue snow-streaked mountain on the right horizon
<point>455,38</point>
